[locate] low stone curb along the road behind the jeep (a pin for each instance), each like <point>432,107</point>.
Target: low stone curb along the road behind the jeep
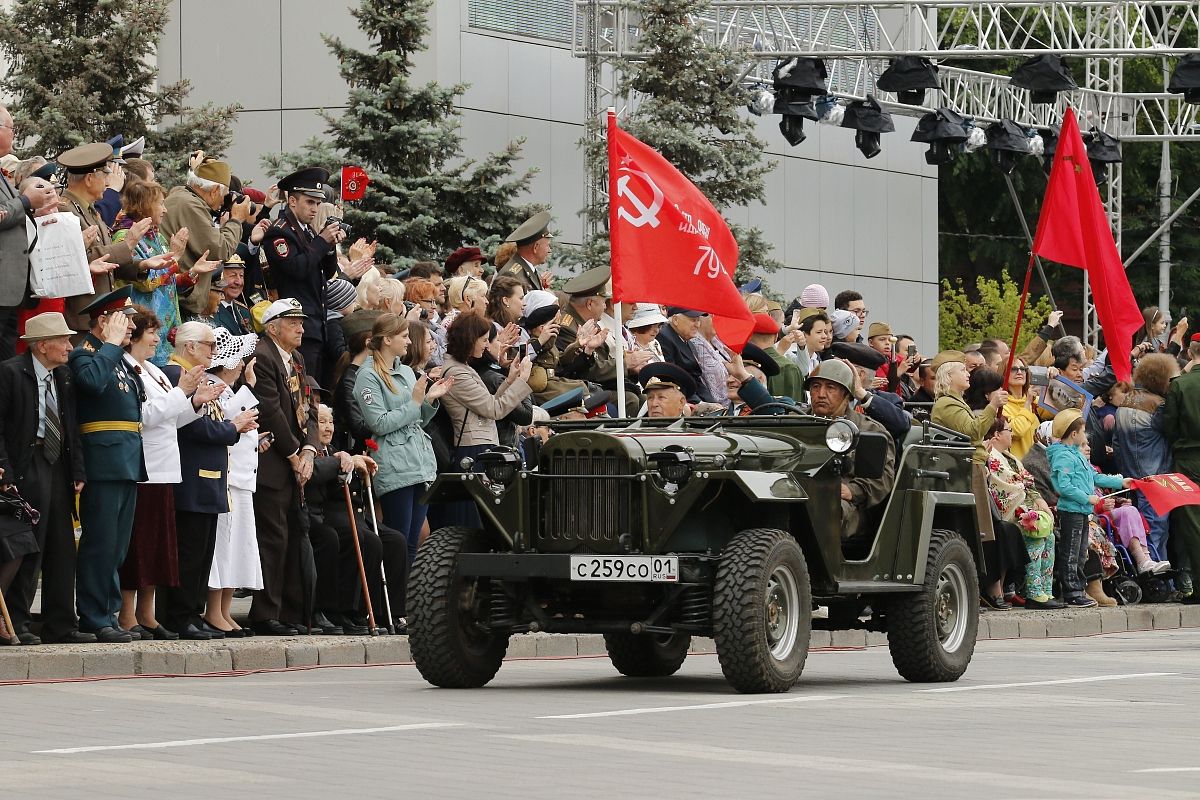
<point>225,658</point>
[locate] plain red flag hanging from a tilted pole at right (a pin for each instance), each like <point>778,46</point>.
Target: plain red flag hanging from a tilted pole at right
<point>1075,230</point>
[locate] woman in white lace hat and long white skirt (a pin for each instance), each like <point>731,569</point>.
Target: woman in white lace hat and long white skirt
<point>236,561</point>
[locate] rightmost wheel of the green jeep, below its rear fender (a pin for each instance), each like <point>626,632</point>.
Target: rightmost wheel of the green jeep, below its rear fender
<point>932,634</point>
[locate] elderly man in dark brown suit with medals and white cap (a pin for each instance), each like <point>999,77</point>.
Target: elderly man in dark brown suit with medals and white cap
<point>289,412</point>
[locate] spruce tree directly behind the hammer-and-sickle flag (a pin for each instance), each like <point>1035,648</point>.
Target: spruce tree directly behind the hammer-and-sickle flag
<point>688,104</point>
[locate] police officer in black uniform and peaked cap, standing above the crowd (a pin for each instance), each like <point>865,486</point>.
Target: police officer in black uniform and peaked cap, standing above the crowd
<point>301,260</point>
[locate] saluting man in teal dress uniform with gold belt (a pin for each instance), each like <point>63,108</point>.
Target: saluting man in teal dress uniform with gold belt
<point>110,414</point>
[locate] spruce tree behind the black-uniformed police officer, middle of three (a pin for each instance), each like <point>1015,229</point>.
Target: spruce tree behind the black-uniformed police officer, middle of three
<point>424,199</point>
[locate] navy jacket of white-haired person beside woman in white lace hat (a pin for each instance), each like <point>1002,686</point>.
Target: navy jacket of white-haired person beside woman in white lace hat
<point>203,456</point>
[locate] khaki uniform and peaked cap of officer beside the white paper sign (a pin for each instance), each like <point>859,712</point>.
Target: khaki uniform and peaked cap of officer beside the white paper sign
<point>81,161</point>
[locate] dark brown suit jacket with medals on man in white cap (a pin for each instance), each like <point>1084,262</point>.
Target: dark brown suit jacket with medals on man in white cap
<point>284,411</point>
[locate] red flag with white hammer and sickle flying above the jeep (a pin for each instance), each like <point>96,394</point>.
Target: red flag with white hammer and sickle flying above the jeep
<point>669,244</point>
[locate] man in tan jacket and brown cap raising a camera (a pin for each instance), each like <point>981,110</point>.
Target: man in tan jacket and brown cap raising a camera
<point>196,207</point>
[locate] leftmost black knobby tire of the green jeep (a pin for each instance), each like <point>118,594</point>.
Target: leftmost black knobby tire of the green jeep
<point>448,613</point>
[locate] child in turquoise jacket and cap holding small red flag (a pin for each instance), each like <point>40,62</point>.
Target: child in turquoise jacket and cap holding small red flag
<point>1076,483</point>
